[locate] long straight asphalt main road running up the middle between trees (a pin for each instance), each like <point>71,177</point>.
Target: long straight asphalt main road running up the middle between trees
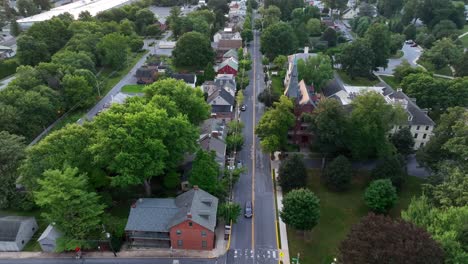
<point>254,240</point>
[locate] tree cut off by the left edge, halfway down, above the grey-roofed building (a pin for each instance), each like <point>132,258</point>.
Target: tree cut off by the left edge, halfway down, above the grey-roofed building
<point>11,153</point>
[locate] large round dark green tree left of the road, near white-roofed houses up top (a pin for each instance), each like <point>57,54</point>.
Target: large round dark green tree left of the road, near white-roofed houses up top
<point>193,50</point>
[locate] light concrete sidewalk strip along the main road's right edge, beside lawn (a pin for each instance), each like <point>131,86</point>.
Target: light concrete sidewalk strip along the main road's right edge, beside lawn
<point>279,206</point>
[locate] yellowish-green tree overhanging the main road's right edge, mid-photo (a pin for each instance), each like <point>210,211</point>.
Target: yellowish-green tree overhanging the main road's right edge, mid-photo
<point>273,127</point>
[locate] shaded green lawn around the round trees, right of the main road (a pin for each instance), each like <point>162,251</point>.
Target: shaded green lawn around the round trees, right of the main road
<point>339,211</point>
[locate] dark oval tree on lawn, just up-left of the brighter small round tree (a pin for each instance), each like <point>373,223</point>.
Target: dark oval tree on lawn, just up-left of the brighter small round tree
<point>337,175</point>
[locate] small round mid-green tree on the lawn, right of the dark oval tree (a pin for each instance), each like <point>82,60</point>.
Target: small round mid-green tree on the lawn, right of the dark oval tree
<point>380,196</point>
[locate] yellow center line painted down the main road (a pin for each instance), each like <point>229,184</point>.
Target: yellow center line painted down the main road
<point>253,141</point>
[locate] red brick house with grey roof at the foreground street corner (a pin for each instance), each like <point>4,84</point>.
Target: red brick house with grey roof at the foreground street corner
<point>185,222</point>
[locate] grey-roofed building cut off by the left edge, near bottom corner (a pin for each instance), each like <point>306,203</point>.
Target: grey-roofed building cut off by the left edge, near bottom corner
<point>16,231</point>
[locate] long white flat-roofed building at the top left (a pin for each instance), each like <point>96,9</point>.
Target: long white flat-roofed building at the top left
<point>92,6</point>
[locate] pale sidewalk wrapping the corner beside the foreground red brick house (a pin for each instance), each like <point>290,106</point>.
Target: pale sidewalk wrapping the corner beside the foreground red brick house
<point>218,251</point>
